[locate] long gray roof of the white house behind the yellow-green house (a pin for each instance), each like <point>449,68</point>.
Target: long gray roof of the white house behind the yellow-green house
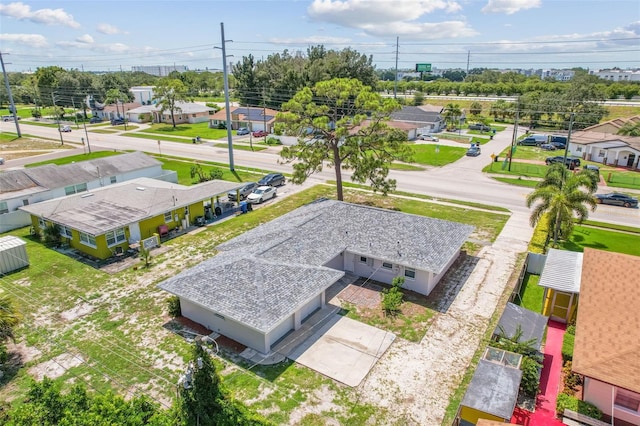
<point>50,176</point>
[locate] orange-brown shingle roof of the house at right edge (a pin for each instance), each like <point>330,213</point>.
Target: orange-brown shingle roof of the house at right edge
<point>607,345</point>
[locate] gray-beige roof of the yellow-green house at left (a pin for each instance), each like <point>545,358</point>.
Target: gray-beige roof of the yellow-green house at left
<point>114,206</point>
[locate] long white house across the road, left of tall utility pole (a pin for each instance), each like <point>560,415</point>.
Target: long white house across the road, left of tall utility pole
<point>189,112</point>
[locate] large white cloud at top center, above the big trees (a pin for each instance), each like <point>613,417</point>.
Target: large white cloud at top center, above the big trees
<point>390,18</point>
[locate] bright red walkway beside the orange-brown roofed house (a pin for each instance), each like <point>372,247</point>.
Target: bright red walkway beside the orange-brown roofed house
<point>545,414</point>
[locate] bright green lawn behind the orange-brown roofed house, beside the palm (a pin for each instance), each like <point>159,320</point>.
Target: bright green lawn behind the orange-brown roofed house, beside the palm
<point>602,239</point>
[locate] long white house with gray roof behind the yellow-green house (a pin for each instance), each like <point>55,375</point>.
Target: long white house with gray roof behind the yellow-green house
<point>28,186</point>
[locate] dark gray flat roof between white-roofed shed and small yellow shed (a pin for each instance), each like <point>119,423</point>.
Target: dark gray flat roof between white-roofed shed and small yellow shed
<point>516,318</point>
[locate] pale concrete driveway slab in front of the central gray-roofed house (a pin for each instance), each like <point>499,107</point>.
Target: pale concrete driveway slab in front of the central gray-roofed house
<point>343,349</point>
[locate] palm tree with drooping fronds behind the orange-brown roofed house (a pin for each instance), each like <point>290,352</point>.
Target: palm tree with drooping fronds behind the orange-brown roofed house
<point>563,194</point>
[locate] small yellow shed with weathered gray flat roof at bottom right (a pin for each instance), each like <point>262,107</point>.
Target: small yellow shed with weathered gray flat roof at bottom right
<point>491,395</point>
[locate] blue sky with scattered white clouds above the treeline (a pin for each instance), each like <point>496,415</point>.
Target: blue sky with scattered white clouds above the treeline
<point>108,35</point>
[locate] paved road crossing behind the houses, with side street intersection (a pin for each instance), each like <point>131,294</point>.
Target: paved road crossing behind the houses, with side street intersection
<point>462,180</point>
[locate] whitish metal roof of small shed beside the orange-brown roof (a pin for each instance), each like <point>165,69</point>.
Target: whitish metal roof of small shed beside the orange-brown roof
<point>562,271</point>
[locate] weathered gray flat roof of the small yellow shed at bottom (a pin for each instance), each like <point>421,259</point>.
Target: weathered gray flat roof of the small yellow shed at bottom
<point>493,389</point>
